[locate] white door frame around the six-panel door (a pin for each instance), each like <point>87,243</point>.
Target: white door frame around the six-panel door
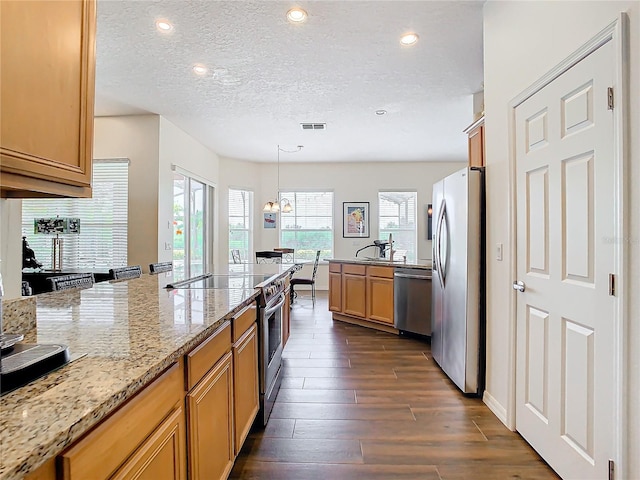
<point>618,33</point>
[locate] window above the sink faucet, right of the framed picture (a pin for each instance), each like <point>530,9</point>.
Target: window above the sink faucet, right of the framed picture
<point>397,215</point>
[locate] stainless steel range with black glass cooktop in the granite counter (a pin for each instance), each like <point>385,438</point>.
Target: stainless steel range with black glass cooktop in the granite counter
<point>270,305</point>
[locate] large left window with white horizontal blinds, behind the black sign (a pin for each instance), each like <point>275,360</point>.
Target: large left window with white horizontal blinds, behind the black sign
<point>102,242</point>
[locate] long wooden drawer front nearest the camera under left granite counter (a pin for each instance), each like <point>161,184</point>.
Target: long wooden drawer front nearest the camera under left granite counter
<point>103,450</point>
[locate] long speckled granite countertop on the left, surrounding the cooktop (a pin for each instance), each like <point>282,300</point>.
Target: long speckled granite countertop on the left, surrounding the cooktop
<point>121,335</point>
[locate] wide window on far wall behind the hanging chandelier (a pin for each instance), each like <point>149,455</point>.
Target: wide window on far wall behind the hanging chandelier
<point>309,227</point>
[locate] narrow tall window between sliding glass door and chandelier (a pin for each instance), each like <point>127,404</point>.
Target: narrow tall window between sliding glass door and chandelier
<point>240,224</point>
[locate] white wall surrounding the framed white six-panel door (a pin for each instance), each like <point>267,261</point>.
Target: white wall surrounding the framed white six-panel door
<point>522,41</point>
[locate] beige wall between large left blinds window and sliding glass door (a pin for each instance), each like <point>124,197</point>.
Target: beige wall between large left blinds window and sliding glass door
<point>136,138</point>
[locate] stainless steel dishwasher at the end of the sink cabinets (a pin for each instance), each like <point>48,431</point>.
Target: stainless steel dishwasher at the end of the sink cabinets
<point>412,300</point>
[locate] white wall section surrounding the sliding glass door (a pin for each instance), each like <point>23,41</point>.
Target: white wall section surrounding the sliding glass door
<point>180,149</point>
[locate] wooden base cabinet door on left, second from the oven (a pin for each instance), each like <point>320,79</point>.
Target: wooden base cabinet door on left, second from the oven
<point>210,420</point>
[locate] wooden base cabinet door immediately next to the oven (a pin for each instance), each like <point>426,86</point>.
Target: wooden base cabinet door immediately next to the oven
<point>245,385</point>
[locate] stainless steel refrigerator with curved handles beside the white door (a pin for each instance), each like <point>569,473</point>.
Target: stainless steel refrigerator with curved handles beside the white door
<point>457,304</point>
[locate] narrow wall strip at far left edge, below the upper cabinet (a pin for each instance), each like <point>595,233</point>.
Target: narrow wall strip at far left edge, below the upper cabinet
<point>11,246</point>
